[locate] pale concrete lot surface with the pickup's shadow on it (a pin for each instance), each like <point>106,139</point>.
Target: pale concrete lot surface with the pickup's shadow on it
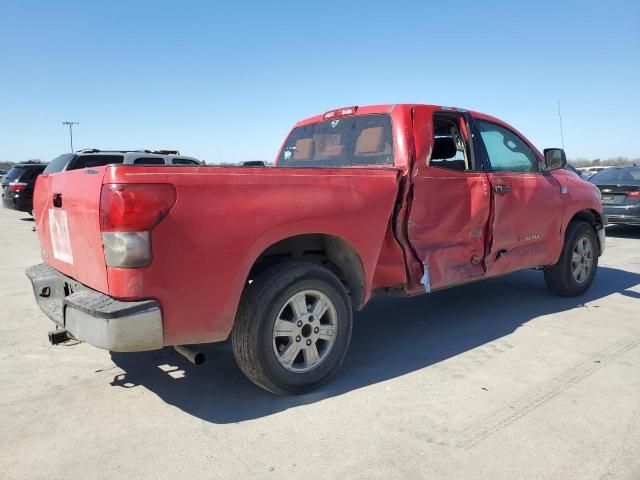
<point>495,380</point>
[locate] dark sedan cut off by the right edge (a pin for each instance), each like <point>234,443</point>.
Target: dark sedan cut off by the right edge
<point>620,189</point>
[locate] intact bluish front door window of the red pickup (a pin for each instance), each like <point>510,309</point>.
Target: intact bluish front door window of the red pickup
<point>506,151</point>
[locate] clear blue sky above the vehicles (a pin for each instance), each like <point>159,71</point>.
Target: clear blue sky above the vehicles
<point>227,80</point>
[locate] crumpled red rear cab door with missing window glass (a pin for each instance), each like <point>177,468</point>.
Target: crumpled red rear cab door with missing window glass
<point>449,214</point>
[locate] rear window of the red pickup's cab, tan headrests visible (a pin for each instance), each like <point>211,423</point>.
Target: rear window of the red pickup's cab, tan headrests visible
<point>340,142</point>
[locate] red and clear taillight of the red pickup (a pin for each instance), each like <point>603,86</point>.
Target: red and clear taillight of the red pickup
<point>128,213</point>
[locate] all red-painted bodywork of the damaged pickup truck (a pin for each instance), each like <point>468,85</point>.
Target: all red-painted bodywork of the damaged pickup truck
<point>396,218</point>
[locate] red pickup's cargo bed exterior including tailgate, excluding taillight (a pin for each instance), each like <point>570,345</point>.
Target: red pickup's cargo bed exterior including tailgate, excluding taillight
<point>224,218</point>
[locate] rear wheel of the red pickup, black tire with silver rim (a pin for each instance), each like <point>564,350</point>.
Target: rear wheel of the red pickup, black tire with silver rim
<point>293,328</point>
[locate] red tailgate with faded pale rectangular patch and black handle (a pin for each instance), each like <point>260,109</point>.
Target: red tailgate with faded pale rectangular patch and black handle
<point>67,213</point>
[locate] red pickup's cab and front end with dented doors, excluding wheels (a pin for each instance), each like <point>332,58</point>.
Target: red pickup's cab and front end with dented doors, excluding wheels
<point>483,200</point>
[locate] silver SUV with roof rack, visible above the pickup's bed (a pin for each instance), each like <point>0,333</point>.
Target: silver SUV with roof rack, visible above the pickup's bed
<point>96,158</point>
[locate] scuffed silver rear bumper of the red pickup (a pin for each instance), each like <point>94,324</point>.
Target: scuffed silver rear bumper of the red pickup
<point>94,317</point>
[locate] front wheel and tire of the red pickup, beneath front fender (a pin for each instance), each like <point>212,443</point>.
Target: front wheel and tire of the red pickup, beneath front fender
<point>576,268</point>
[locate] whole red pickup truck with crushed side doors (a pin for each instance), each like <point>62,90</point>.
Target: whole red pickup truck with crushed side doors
<point>397,199</point>
